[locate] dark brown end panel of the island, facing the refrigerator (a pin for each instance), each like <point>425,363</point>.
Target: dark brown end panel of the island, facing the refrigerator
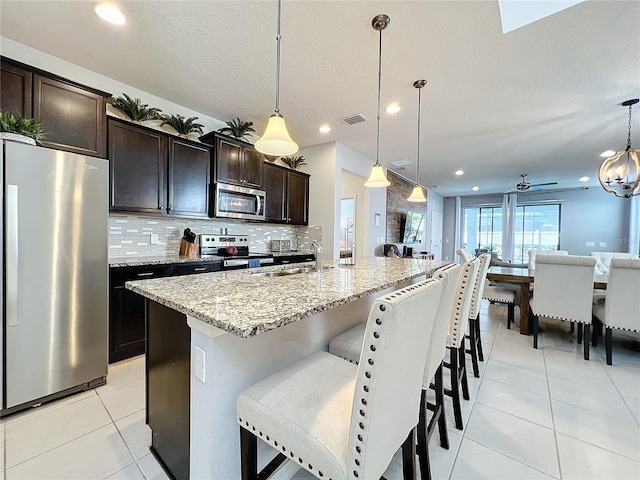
<point>167,396</point>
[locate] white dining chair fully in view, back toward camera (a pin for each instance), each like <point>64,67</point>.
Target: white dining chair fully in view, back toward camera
<point>564,291</point>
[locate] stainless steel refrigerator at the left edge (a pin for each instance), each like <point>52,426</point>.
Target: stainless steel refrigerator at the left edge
<point>54,274</point>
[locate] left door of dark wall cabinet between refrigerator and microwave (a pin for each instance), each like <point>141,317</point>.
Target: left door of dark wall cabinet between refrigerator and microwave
<point>138,162</point>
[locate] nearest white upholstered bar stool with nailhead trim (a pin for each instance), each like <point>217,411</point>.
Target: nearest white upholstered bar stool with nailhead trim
<point>339,420</point>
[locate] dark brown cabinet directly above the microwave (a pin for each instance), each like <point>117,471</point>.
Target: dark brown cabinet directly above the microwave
<point>236,162</point>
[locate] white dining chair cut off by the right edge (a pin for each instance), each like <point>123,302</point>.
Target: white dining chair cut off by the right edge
<point>621,305</point>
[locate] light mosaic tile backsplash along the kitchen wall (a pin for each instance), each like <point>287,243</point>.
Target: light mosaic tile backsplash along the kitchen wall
<point>130,235</point>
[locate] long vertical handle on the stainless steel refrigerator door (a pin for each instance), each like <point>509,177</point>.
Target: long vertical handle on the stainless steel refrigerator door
<point>12,256</point>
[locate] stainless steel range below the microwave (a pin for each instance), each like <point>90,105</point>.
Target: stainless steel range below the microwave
<point>234,249</point>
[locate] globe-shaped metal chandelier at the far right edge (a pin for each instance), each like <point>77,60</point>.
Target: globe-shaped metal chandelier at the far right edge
<point>620,173</point>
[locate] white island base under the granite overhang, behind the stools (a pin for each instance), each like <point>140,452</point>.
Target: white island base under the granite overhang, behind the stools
<point>233,364</point>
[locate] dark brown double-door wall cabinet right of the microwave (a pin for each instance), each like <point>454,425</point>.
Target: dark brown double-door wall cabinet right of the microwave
<point>287,195</point>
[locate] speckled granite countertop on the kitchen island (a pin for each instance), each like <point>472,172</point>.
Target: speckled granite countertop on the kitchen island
<point>245,305</point>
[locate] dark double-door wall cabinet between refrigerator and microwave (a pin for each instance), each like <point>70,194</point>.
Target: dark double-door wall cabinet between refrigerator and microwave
<point>154,172</point>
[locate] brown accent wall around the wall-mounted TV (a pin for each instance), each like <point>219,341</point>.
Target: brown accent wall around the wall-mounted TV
<point>397,205</point>
